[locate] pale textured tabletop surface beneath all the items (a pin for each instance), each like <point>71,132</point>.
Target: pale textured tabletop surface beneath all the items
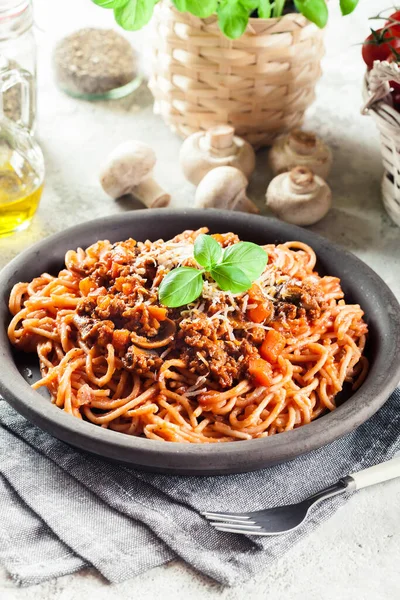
<point>356,554</point>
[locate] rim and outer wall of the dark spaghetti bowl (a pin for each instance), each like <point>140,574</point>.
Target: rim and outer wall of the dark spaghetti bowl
<point>230,456</point>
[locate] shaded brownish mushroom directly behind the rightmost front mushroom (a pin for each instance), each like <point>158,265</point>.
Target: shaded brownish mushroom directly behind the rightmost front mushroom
<point>300,149</point>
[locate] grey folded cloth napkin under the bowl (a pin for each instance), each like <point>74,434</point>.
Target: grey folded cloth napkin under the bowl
<point>63,509</point>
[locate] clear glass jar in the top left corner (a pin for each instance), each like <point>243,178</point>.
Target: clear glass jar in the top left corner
<point>18,60</point>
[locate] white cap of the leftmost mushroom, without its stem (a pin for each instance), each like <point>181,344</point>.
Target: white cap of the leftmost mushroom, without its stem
<point>125,167</point>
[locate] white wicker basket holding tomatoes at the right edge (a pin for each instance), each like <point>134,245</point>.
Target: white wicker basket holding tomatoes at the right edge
<point>378,105</point>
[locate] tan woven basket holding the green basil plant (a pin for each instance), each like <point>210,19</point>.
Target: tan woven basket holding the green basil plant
<point>261,83</point>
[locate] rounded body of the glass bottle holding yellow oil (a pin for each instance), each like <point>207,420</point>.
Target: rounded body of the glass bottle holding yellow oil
<point>20,191</point>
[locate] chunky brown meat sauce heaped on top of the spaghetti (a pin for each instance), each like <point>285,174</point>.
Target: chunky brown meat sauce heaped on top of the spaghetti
<point>120,306</point>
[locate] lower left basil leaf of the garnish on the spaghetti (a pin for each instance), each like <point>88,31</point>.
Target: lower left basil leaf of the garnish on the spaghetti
<point>180,286</point>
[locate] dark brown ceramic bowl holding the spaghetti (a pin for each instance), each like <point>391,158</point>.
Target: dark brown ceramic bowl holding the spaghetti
<point>360,284</point>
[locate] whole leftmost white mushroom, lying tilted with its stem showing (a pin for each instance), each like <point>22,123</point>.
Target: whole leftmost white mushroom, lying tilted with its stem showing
<point>128,170</point>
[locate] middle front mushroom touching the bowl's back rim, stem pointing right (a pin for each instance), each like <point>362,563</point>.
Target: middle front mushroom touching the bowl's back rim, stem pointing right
<point>224,187</point>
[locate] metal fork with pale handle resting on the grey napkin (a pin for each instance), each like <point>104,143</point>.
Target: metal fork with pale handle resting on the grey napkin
<point>278,520</point>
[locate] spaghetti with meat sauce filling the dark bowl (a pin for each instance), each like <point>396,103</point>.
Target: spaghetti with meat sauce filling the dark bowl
<point>225,367</point>
